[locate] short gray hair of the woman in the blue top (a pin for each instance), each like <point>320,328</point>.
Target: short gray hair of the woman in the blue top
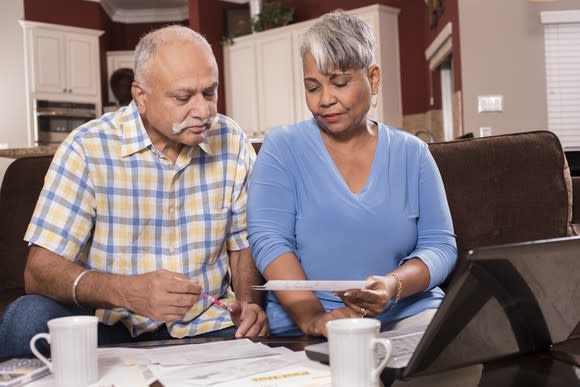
<point>339,40</point>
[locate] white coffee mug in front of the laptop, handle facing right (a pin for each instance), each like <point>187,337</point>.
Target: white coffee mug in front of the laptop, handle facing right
<point>353,359</point>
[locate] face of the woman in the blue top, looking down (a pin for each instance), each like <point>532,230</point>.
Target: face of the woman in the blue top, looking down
<point>339,101</point>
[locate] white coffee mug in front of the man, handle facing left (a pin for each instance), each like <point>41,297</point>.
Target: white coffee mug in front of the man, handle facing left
<point>73,346</point>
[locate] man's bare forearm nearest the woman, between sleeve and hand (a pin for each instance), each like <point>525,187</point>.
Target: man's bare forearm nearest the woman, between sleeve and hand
<point>244,275</point>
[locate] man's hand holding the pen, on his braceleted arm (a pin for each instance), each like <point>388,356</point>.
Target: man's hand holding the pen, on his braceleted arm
<point>161,295</point>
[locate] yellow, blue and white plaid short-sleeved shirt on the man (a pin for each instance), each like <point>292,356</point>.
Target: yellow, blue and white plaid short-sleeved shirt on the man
<point>112,203</point>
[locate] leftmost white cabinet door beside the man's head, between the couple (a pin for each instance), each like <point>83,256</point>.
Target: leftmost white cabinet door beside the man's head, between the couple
<point>241,86</point>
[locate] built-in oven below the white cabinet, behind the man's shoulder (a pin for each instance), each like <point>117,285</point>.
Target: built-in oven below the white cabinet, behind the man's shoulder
<point>55,119</point>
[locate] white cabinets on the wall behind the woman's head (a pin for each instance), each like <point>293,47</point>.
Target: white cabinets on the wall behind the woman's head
<point>263,74</point>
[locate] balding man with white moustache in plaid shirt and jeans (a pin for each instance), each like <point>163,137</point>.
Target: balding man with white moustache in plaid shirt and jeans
<point>142,218</point>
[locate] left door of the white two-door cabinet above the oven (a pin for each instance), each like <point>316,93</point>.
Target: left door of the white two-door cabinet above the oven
<point>49,67</point>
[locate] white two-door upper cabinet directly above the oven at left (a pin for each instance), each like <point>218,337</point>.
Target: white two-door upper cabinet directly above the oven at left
<point>62,61</point>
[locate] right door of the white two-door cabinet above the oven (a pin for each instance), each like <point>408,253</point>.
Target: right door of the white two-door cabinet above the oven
<point>82,64</point>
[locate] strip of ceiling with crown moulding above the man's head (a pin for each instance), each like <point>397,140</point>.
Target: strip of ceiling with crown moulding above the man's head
<point>148,11</point>
